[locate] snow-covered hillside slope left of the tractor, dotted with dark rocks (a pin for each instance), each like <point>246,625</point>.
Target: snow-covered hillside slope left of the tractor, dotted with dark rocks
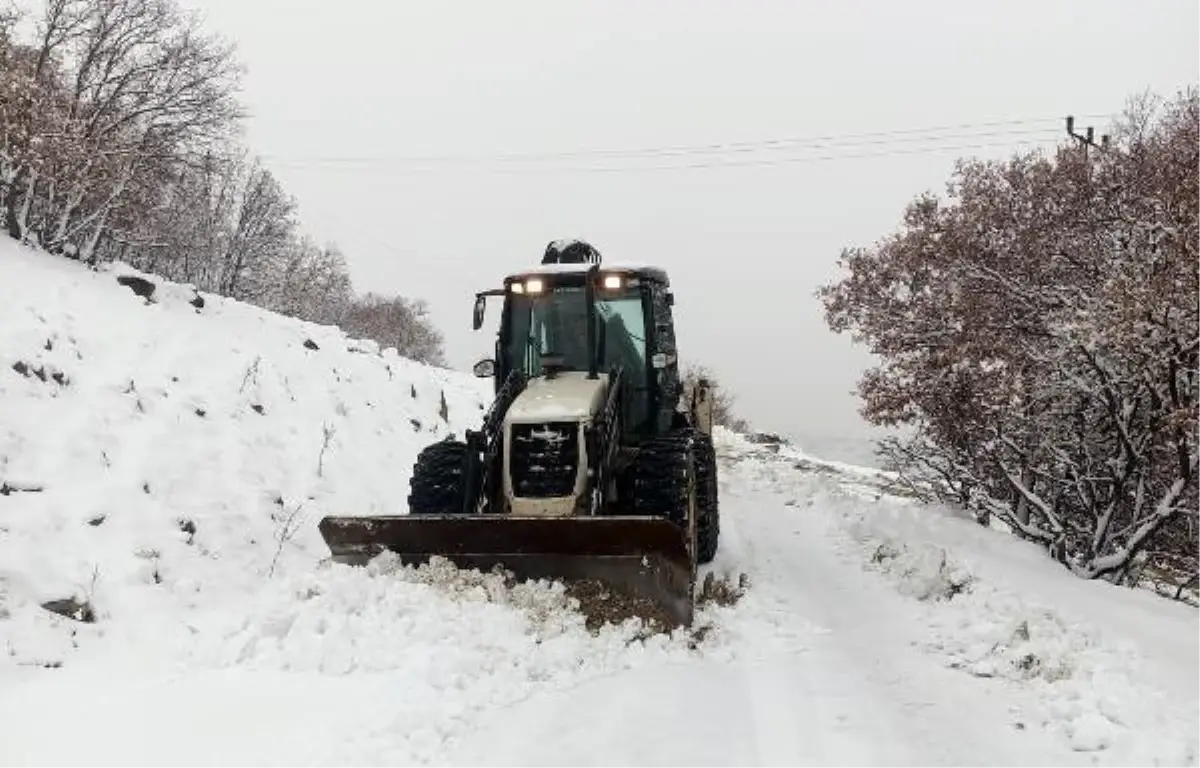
<point>160,457</point>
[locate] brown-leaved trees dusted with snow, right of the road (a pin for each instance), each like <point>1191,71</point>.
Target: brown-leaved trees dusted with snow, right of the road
<point>1040,333</point>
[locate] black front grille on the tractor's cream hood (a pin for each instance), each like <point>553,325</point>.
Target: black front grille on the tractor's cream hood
<point>545,458</point>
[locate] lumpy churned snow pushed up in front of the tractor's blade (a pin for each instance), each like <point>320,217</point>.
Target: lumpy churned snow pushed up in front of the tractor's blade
<point>454,645</point>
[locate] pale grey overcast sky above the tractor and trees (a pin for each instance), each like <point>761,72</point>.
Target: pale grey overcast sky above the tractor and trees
<point>347,98</point>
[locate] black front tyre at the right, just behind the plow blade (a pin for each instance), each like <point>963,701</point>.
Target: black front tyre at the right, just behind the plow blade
<point>665,479</point>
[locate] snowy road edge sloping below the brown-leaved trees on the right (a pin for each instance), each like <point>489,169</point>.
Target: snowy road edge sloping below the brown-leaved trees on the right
<point>1115,669</point>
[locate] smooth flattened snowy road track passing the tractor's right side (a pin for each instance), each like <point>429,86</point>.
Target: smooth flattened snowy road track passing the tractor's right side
<point>853,691</point>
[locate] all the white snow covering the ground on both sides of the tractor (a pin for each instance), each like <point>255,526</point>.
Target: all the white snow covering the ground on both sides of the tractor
<point>873,631</point>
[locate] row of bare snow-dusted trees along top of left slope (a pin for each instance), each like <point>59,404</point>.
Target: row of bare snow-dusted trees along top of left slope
<point>118,141</point>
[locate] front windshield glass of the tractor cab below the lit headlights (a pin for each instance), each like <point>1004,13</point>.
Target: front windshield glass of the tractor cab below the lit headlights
<point>555,323</point>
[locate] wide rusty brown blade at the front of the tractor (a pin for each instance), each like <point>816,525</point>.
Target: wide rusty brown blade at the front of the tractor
<point>645,559</point>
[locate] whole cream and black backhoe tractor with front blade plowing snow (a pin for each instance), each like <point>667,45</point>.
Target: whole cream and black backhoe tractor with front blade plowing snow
<point>589,466</point>
